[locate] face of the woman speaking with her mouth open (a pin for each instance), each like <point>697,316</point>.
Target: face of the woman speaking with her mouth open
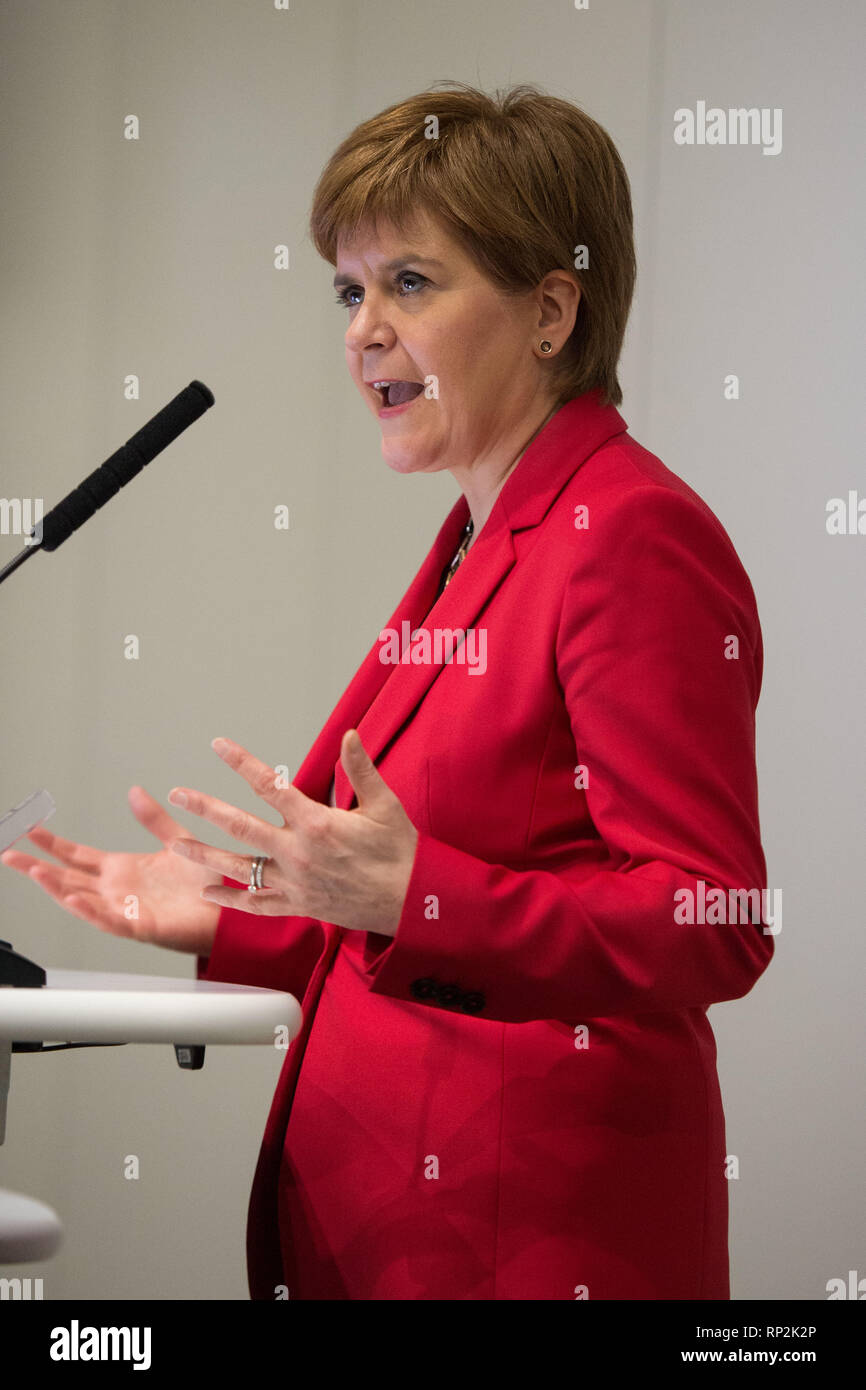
<point>422,312</point>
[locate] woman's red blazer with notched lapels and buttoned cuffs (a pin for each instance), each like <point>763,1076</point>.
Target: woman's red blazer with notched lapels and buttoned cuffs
<point>516,1097</point>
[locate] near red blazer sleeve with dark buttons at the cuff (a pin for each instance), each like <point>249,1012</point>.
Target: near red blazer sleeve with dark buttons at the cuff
<point>660,658</point>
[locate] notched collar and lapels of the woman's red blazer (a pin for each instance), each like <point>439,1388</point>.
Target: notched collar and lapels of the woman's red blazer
<point>382,697</point>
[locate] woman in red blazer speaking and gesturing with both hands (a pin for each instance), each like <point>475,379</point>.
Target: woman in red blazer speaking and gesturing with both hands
<point>505,1086</point>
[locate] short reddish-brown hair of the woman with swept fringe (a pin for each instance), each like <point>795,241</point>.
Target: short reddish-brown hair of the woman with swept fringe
<point>521,180</point>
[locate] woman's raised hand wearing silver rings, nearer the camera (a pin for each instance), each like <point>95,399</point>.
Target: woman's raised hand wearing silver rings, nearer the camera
<point>351,868</point>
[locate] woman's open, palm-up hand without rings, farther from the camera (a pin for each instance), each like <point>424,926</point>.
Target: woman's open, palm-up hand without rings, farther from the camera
<point>149,897</point>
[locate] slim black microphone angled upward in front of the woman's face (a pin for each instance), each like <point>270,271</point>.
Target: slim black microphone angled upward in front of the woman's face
<point>80,505</point>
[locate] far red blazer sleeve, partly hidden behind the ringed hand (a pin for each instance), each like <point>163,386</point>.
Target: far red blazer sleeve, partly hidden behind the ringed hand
<point>270,953</point>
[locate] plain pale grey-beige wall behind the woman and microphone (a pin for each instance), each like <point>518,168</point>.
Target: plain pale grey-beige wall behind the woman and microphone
<point>155,258</point>
